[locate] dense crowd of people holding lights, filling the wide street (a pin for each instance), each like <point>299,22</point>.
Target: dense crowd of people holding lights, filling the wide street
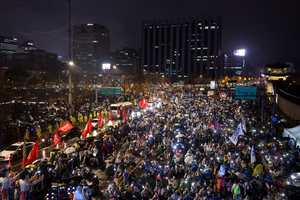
<point>179,147</point>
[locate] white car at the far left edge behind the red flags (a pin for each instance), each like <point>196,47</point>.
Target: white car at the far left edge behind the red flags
<point>15,151</point>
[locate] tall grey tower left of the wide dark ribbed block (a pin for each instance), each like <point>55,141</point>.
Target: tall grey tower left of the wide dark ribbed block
<point>91,47</point>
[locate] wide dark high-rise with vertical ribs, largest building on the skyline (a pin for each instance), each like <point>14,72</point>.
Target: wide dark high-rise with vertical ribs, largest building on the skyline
<point>181,47</point>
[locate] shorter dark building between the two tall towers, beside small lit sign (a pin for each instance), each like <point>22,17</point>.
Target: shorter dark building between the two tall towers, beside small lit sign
<point>125,61</point>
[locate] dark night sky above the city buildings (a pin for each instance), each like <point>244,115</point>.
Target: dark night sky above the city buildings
<point>269,30</point>
